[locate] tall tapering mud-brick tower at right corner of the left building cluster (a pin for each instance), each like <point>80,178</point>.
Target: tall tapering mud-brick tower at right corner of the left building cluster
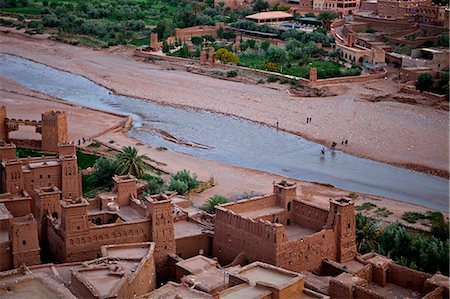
<point>159,210</point>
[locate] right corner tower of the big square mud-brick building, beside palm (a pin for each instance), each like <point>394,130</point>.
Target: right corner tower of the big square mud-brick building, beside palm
<point>345,228</point>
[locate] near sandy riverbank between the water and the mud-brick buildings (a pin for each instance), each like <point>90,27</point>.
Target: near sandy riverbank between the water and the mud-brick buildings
<point>231,181</point>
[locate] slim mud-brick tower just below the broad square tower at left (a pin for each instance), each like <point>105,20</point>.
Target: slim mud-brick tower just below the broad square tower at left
<point>70,178</point>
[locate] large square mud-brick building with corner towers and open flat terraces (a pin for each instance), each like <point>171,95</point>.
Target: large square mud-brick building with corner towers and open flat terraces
<point>284,231</point>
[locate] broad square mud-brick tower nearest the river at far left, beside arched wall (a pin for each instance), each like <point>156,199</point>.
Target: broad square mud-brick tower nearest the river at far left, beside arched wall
<point>54,130</point>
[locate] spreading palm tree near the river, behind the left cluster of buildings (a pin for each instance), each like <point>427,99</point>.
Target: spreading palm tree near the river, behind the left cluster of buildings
<point>128,161</point>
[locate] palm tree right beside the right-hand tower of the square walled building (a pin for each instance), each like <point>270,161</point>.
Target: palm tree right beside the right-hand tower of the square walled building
<point>367,232</point>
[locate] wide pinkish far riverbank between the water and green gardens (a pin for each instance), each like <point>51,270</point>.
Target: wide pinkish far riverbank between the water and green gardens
<point>404,135</point>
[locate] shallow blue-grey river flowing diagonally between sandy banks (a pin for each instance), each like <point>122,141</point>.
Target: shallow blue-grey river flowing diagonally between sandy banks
<point>234,141</point>
